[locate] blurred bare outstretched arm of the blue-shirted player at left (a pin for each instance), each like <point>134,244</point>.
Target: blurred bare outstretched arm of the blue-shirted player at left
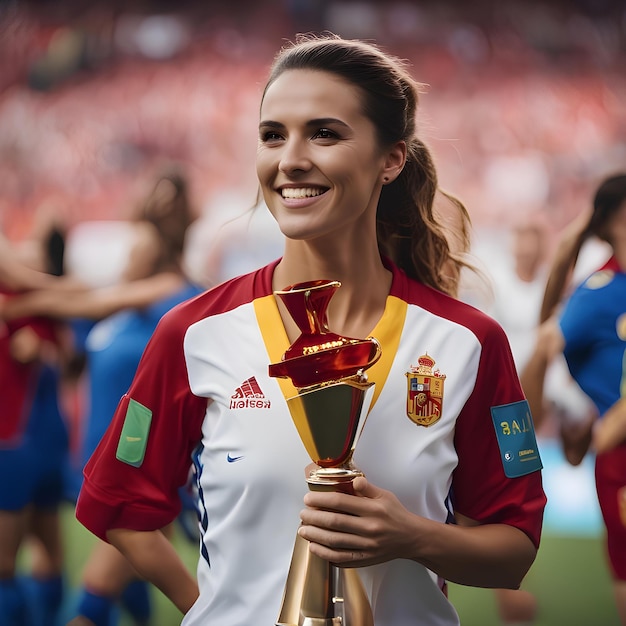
<point>81,301</point>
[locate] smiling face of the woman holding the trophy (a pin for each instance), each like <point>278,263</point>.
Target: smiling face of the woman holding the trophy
<point>318,162</point>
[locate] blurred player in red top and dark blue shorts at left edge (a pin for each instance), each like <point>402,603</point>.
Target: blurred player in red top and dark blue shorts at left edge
<point>33,444</point>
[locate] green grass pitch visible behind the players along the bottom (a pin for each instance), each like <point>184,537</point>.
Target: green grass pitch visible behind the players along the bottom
<point>569,578</point>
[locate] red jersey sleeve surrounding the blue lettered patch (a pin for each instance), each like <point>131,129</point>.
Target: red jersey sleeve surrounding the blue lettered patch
<point>480,489</point>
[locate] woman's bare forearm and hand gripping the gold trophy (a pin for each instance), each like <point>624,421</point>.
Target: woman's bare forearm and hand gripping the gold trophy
<point>373,526</point>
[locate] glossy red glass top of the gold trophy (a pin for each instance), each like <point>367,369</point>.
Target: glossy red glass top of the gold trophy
<point>318,355</point>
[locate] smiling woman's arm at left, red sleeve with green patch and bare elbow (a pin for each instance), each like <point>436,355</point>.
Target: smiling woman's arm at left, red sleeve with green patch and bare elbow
<point>126,501</point>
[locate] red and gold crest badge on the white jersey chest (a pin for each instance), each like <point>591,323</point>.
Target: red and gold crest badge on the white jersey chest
<point>424,396</point>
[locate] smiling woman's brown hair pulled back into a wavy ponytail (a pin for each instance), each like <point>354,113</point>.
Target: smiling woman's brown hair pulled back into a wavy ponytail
<point>408,230</point>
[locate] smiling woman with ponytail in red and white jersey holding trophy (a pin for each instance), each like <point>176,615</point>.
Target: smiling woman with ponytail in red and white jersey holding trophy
<point>352,190</point>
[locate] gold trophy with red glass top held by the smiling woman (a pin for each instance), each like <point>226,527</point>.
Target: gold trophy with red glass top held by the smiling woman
<point>329,411</point>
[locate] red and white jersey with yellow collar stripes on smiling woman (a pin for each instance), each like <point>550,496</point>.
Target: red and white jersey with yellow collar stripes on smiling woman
<point>202,390</point>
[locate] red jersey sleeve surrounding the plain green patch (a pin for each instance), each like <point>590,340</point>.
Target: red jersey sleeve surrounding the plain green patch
<point>144,495</point>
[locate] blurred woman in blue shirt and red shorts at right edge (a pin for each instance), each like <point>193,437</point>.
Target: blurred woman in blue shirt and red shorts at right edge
<point>591,333</point>
